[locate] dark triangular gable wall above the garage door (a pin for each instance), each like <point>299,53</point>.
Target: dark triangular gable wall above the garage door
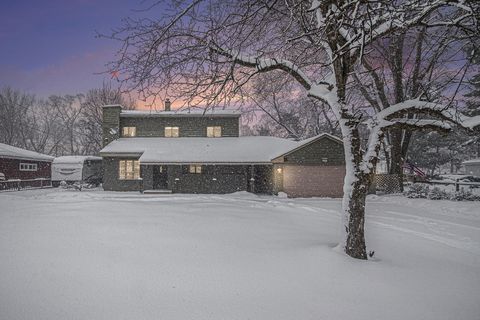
<point>313,153</point>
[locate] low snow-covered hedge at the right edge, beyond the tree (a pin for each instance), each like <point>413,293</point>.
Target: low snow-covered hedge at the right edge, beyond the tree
<point>423,191</point>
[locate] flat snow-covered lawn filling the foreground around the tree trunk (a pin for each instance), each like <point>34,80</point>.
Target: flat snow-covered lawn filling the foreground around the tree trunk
<point>103,255</point>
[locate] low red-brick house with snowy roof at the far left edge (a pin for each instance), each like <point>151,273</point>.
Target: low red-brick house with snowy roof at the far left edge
<point>17,163</point>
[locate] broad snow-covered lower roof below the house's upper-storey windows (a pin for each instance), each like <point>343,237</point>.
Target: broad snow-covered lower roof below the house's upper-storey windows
<point>255,149</point>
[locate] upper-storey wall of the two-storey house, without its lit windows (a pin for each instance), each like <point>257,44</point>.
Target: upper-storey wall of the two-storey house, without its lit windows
<point>154,126</point>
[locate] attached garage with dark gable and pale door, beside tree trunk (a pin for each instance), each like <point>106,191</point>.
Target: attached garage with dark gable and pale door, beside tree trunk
<point>314,169</point>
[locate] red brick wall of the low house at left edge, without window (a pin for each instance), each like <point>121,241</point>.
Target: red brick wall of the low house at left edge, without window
<point>11,169</point>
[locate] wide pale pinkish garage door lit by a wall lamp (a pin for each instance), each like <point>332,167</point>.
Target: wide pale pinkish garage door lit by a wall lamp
<point>313,181</point>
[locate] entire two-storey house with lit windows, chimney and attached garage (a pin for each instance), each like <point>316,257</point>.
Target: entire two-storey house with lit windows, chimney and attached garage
<point>201,152</point>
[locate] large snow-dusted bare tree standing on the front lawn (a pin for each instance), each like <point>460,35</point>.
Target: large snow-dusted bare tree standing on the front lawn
<point>210,50</point>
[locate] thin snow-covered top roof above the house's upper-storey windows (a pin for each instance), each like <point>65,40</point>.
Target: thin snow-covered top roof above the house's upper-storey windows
<point>181,113</point>
